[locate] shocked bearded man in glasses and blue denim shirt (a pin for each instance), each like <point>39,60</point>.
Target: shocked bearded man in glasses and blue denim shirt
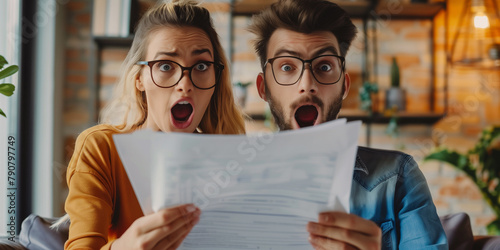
<point>302,46</point>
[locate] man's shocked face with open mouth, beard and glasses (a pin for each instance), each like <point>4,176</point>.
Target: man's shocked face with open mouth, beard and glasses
<point>307,102</point>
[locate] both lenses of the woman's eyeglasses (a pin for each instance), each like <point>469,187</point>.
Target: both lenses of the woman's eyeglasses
<point>169,73</point>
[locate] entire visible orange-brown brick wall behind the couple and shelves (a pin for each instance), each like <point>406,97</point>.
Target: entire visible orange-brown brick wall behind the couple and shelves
<point>474,95</point>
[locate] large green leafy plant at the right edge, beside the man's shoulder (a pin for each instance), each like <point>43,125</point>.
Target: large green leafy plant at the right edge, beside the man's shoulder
<point>482,165</point>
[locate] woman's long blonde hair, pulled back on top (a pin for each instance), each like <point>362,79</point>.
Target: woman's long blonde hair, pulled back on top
<point>127,109</point>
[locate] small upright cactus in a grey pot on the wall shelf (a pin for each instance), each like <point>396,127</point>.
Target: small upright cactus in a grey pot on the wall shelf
<point>395,97</point>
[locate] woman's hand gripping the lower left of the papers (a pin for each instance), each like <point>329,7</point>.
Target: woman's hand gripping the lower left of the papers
<point>165,229</point>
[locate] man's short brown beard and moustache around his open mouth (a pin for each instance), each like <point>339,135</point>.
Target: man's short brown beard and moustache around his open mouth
<point>279,117</point>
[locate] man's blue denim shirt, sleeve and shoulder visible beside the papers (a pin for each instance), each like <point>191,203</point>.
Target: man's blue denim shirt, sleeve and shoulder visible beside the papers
<point>389,189</point>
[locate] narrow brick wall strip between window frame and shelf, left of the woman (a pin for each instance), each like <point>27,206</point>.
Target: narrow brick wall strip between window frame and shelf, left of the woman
<point>78,108</point>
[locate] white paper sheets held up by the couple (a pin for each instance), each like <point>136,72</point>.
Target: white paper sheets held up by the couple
<point>255,192</point>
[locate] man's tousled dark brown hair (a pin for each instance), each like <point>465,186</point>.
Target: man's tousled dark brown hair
<point>304,17</point>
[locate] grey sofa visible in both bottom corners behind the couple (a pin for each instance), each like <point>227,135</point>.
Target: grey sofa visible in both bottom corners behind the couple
<point>36,234</point>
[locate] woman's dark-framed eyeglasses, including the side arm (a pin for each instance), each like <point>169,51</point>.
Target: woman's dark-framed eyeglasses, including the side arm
<point>166,73</point>
